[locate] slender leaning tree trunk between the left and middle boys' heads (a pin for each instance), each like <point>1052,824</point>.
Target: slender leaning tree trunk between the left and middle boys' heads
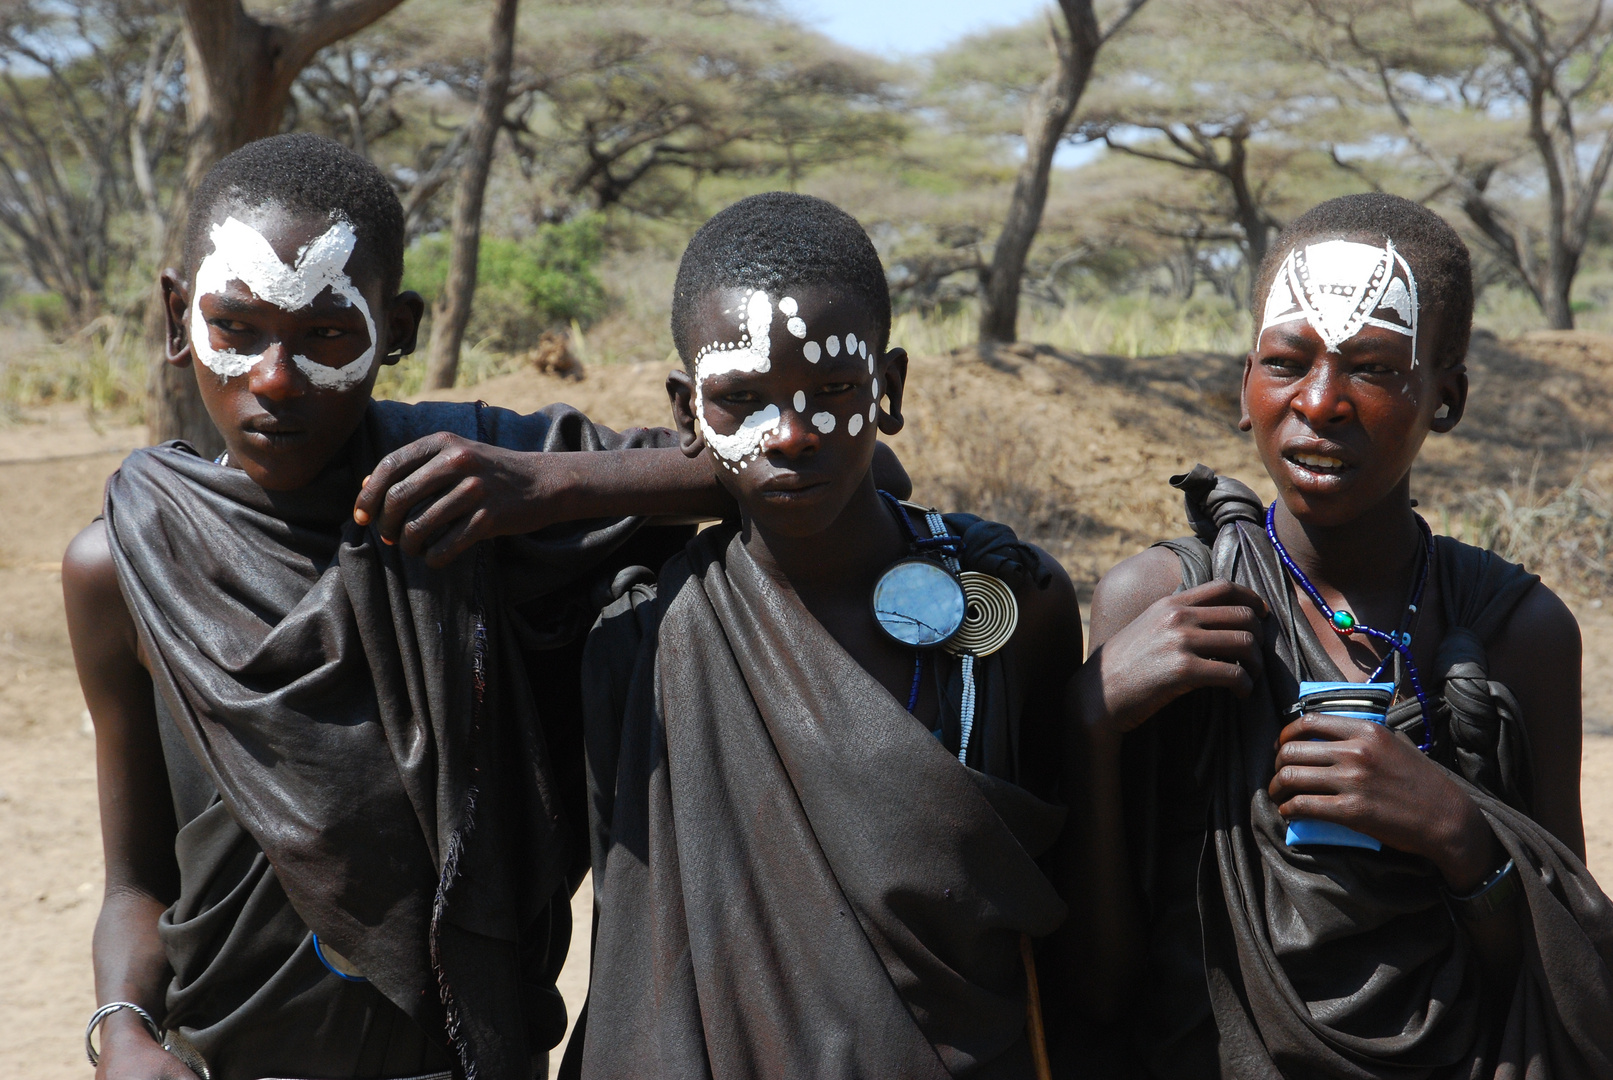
<point>452,310</point>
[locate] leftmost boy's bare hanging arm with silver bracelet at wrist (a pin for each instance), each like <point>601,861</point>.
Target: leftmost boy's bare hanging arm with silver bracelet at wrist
<point>136,810</point>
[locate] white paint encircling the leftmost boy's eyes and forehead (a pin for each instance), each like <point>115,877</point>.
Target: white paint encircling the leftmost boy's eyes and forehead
<point>241,254</point>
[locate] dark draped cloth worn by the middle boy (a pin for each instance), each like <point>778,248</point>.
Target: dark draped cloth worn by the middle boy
<point>794,879</point>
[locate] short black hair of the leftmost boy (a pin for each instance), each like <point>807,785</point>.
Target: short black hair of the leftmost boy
<point>307,175</point>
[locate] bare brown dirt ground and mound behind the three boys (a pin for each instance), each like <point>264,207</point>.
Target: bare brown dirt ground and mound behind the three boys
<point>1073,451</point>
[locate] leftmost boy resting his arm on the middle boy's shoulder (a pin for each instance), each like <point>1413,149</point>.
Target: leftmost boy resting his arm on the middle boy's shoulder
<point>341,821</point>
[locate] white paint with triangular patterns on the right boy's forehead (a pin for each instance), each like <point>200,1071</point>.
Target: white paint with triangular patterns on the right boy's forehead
<point>1340,288</point>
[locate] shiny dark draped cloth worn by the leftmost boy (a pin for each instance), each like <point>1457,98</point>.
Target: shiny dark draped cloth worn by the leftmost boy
<point>364,747</point>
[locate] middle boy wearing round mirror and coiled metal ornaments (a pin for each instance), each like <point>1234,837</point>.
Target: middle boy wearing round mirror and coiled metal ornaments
<point>817,845</point>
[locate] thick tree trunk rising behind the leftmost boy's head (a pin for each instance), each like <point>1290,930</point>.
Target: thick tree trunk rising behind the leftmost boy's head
<point>240,75</point>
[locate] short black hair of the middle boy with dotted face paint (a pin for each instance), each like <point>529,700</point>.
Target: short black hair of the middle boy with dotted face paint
<point>775,243</point>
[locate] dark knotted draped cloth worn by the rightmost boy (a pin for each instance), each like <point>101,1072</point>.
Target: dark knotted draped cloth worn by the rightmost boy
<point>1340,963</point>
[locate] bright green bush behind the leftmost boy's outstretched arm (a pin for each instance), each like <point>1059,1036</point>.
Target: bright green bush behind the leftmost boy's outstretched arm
<point>523,288</point>
